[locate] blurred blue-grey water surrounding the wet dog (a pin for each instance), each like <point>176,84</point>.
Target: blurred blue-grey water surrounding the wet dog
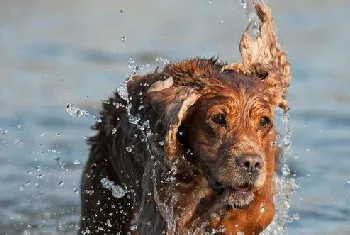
<point>57,52</point>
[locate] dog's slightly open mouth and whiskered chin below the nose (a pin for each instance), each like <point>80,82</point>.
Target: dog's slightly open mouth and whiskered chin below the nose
<point>236,196</point>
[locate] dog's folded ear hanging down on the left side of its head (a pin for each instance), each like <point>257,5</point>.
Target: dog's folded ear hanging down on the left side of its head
<point>171,104</point>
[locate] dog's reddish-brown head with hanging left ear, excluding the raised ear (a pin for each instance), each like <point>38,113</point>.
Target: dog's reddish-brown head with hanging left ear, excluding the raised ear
<point>228,128</point>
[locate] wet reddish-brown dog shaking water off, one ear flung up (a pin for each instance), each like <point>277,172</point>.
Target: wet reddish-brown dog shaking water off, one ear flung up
<point>190,150</point>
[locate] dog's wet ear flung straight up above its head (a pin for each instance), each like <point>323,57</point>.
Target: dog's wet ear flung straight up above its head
<point>263,58</point>
